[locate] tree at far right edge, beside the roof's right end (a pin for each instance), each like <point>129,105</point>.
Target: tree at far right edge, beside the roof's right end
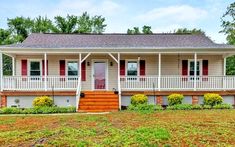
<point>228,25</point>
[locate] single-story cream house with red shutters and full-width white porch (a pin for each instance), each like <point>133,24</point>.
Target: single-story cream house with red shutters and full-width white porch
<point>99,72</point>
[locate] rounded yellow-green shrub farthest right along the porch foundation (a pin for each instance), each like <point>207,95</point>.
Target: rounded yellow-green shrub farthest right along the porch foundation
<point>212,99</point>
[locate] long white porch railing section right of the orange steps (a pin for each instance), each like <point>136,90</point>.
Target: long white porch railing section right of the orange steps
<point>177,82</point>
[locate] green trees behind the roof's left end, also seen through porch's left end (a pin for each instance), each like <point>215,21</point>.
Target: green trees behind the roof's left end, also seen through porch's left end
<point>20,27</point>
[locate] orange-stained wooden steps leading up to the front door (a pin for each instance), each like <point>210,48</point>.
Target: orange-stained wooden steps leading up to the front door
<point>98,101</point>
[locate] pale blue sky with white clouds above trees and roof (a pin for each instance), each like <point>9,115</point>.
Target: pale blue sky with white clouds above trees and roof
<point>162,15</point>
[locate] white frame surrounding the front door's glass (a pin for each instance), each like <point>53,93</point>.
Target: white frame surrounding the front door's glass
<point>92,74</point>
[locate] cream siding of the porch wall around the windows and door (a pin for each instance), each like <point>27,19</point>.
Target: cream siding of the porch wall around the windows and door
<point>171,65</point>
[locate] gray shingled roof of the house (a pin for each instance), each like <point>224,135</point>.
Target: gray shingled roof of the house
<point>37,40</point>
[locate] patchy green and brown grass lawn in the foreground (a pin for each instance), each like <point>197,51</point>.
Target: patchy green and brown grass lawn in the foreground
<point>163,128</point>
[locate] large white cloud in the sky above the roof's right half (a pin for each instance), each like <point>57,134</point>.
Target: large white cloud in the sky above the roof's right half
<point>174,14</point>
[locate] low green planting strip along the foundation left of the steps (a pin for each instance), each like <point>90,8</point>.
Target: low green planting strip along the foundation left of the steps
<point>38,110</point>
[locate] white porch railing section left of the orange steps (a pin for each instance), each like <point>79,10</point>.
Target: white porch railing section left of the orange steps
<point>26,83</point>
